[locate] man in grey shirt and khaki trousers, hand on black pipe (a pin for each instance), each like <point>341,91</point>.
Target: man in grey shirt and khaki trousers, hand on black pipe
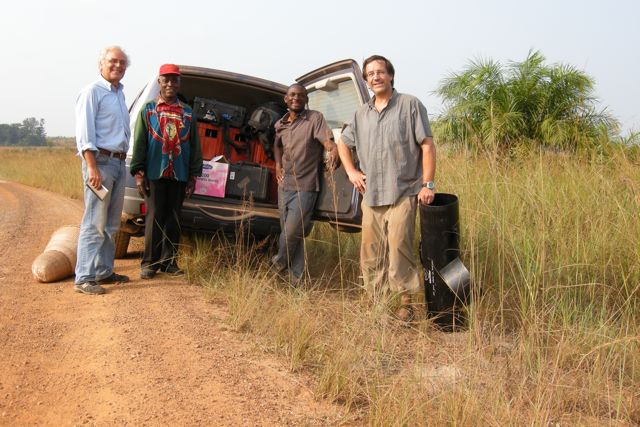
<point>392,137</point>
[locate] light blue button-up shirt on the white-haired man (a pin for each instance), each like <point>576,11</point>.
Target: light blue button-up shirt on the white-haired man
<point>102,119</point>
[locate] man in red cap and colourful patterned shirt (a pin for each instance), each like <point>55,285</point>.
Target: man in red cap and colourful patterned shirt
<point>166,160</point>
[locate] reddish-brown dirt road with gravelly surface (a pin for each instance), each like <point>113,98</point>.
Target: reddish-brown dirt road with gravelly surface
<point>146,353</point>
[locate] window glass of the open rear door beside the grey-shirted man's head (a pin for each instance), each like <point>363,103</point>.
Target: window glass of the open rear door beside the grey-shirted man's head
<point>338,106</point>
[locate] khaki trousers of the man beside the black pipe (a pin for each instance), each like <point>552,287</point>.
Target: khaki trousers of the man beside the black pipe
<point>386,253</point>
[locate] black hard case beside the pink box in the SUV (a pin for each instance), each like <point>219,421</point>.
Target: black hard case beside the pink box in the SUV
<point>246,180</point>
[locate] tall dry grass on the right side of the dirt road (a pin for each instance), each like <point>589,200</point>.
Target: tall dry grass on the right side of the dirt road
<point>553,244</point>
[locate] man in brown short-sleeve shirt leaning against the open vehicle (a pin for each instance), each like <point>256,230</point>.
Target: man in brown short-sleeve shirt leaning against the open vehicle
<point>301,136</point>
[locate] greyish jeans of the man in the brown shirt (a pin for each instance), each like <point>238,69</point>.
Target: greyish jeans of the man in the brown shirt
<point>296,209</point>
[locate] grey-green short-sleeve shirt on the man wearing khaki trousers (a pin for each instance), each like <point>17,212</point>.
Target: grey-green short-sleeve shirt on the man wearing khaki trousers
<point>388,147</point>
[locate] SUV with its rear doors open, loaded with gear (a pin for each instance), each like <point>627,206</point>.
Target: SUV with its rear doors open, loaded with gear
<point>230,108</point>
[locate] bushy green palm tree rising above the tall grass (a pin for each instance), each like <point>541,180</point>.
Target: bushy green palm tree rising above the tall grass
<point>491,107</point>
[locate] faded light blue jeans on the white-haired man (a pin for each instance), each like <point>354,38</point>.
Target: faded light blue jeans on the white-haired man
<point>100,222</point>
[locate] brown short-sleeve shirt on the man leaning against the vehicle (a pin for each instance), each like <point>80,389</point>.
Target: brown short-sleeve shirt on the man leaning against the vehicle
<point>302,149</point>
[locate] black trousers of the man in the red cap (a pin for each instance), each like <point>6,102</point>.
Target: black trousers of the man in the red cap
<point>162,230</point>
